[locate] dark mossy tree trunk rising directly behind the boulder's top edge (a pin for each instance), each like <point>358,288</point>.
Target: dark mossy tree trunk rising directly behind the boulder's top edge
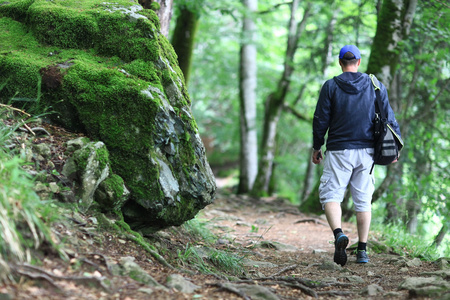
<point>184,37</point>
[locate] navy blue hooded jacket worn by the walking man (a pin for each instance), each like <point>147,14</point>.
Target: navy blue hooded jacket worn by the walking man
<point>346,109</point>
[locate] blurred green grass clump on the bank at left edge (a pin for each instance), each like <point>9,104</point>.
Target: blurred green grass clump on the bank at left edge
<point>24,218</point>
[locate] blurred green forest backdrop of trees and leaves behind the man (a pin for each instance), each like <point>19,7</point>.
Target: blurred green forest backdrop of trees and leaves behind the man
<point>405,43</point>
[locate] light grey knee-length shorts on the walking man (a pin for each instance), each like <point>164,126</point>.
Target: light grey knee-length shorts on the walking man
<point>344,167</point>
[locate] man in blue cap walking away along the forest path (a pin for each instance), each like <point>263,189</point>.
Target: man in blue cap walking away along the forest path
<point>346,109</point>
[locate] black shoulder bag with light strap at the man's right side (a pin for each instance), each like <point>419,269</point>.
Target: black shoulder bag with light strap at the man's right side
<point>387,143</point>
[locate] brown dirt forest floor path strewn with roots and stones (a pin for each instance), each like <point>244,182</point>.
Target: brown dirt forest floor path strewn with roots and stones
<point>283,253</point>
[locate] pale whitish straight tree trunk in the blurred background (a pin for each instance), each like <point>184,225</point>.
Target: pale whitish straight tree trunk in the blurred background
<point>247,95</point>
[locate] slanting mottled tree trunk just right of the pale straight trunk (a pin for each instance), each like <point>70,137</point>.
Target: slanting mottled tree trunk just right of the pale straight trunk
<point>275,103</point>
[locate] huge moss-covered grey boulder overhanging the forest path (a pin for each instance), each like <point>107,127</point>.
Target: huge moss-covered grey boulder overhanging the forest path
<point>107,71</point>
